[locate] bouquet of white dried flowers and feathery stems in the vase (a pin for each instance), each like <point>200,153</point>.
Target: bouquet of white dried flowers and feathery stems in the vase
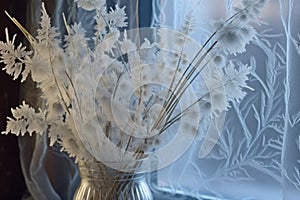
<point>138,92</point>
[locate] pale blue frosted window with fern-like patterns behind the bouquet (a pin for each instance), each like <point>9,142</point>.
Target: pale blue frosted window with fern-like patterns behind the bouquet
<point>258,153</point>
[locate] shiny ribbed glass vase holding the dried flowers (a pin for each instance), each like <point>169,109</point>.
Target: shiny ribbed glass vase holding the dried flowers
<point>100,182</point>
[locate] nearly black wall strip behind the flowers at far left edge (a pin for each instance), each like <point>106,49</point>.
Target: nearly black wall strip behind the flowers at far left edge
<point>12,184</point>
